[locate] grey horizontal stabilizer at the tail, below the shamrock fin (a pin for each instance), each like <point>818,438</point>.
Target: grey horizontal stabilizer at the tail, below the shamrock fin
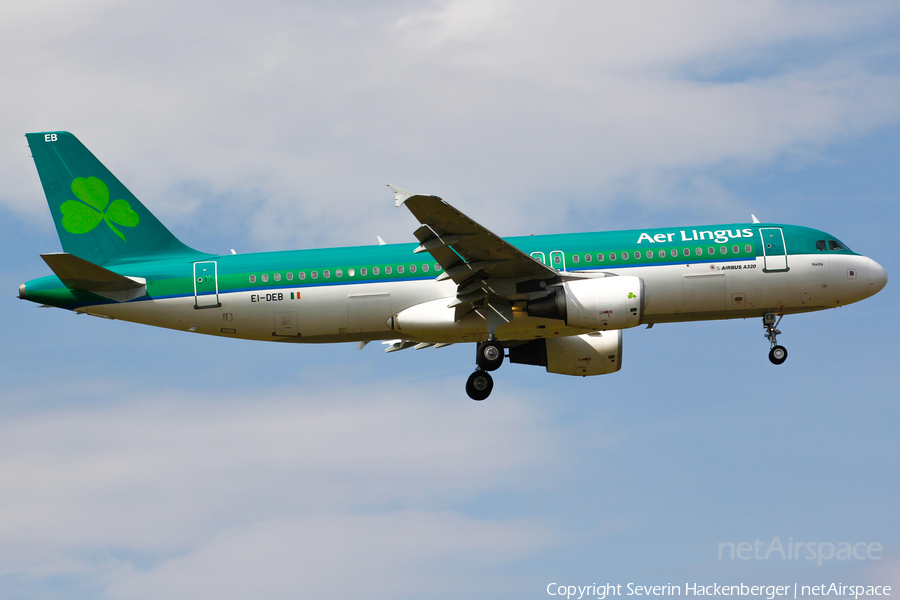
<point>79,274</point>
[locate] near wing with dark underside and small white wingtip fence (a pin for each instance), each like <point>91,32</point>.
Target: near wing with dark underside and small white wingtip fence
<point>464,248</point>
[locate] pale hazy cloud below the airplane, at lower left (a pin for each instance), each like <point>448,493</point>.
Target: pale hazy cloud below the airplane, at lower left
<point>292,488</point>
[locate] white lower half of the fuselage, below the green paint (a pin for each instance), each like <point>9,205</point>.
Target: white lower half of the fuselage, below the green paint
<point>362,311</point>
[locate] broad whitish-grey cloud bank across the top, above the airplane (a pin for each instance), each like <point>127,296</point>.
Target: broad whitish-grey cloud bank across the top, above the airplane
<point>290,117</point>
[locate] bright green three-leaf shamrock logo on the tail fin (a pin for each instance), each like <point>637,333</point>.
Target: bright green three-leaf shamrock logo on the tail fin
<point>81,217</point>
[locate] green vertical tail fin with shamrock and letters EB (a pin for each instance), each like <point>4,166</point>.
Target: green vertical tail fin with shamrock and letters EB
<point>97,218</point>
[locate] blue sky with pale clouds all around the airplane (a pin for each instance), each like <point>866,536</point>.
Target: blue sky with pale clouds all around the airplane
<point>142,463</point>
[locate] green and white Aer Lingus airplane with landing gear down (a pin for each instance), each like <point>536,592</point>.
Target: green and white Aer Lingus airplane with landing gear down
<point>556,301</point>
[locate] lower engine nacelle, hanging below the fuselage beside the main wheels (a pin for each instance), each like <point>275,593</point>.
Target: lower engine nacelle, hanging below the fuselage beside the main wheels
<point>588,354</point>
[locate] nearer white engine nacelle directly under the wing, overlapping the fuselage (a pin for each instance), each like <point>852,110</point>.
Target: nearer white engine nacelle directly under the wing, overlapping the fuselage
<point>599,304</point>
